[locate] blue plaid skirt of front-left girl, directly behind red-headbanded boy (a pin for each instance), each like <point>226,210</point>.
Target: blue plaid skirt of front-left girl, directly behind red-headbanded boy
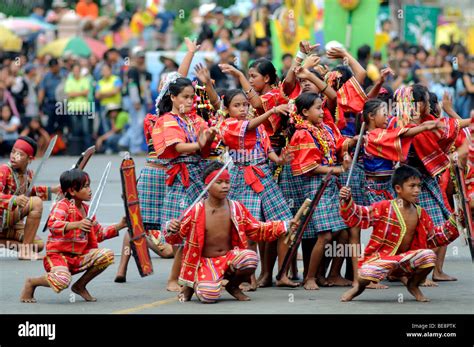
<point>178,198</point>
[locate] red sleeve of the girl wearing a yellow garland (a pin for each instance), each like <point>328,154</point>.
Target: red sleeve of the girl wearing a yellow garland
<point>306,155</point>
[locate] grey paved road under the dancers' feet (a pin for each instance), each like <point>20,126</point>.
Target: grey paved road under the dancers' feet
<point>148,295</point>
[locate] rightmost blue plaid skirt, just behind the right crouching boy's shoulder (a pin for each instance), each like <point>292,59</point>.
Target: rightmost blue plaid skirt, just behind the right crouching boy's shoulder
<point>431,199</point>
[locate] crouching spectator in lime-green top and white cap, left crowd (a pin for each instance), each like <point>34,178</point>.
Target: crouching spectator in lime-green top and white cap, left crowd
<point>109,142</point>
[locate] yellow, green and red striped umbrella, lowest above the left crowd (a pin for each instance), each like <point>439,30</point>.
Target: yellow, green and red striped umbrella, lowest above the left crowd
<point>83,47</point>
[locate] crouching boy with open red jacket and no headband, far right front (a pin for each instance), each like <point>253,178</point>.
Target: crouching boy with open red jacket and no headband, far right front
<point>403,237</point>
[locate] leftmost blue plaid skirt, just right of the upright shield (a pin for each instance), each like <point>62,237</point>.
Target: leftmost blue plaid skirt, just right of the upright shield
<point>151,188</point>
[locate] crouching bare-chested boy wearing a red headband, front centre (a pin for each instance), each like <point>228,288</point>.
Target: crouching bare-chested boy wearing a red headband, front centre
<point>217,231</point>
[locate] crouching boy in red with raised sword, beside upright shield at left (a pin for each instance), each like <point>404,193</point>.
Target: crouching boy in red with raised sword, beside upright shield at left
<point>72,246</point>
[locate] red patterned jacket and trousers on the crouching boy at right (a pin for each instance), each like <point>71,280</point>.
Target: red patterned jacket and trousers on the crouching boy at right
<point>381,256</point>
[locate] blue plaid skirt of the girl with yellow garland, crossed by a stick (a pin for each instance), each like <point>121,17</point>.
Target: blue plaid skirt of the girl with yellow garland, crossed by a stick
<point>326,214</point>
